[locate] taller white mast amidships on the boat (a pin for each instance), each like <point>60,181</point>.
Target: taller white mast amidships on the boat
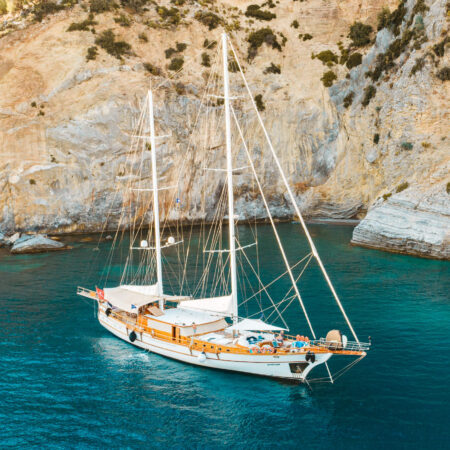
<point>232,236</point>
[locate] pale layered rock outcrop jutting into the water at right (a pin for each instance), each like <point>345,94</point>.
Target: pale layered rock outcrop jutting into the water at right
<point>413,221</point>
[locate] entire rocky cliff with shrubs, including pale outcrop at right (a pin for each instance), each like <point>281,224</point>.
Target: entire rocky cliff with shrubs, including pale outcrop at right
<point>68,107</point>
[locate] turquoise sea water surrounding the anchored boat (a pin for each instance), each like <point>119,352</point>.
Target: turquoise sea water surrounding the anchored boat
<point>66,382</point>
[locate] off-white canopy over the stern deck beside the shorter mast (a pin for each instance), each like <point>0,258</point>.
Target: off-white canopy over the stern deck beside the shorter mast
<point>130,298</point>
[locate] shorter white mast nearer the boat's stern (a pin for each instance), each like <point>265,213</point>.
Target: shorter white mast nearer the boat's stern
<point>155,200</point>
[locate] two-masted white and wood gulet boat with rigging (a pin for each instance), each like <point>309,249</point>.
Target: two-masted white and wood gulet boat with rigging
<point>211,330</point>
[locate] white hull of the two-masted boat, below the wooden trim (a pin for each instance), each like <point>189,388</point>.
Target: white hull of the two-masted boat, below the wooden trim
<point>270,365</point>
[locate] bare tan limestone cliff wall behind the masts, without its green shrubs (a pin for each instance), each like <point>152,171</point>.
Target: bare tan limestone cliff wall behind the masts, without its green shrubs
<point>65,122</point>
